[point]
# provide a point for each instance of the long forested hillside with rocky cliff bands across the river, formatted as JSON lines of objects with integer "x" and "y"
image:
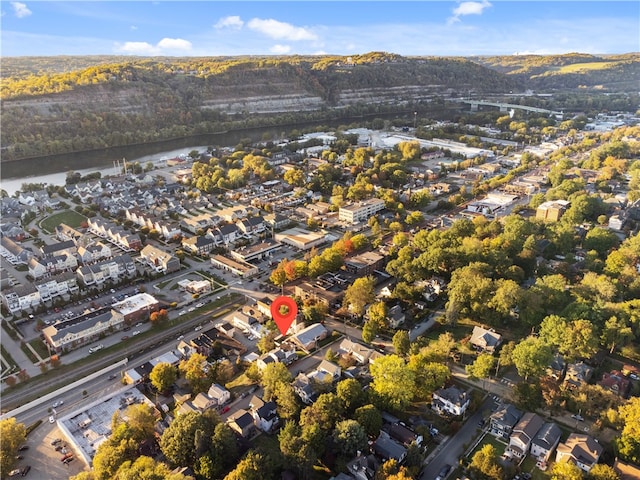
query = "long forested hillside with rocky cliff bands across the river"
{"x": 54, "y": 105}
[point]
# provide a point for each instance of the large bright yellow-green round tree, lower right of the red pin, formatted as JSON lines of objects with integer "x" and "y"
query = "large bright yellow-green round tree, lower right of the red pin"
{"x": 393, "y": 380}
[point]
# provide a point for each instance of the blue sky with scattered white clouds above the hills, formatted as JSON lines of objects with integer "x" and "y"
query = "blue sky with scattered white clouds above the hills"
{"x": 216, "y": 28}
